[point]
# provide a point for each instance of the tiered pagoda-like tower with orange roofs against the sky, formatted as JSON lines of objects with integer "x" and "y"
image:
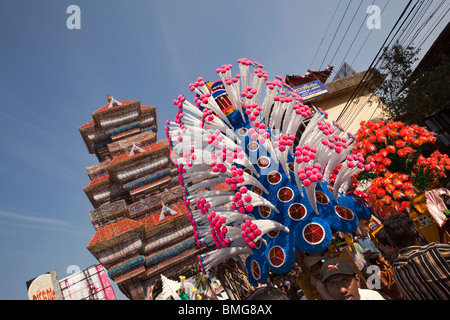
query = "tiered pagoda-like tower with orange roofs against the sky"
{"x": 140, "y": 220}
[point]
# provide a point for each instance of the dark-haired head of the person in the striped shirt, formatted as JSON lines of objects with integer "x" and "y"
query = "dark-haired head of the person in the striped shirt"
{"x": 400, "y": 231}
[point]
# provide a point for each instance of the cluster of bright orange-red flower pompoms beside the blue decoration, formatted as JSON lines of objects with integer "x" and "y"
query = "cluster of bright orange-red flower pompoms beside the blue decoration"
{"x": 396, "y": 152}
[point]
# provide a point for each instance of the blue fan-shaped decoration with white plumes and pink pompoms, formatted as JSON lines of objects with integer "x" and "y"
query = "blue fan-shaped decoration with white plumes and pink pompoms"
{"x": 249, "y": 147}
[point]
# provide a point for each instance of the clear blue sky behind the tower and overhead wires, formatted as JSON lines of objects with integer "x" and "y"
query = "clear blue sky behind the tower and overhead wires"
{"x": 52, "y": 79}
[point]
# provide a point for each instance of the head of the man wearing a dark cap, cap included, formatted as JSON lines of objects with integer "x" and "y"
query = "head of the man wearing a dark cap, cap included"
{"x": 340, "y": 279}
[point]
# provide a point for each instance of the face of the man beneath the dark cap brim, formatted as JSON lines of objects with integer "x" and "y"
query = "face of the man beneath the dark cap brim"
{"x": 343, "y": 287}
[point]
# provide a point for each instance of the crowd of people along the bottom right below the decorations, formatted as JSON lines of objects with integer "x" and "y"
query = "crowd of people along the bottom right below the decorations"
{"x": 403, "y": 266}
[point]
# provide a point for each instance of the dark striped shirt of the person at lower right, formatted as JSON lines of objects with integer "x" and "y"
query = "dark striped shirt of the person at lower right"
{"x": 423, "y": 272}
